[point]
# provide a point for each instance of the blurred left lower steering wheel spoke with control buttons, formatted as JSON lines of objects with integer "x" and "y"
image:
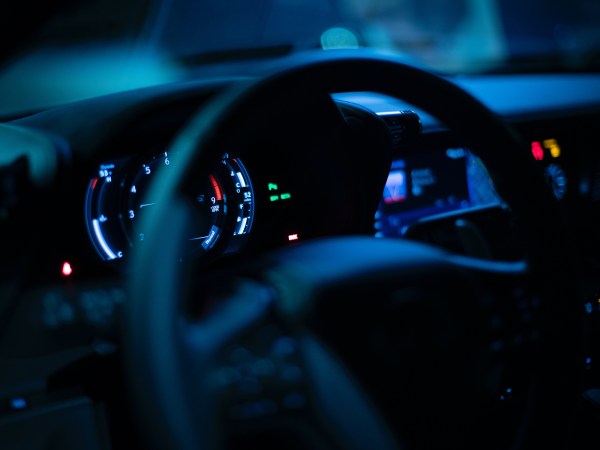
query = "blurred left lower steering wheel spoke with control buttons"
{"x": 266, "y": 379}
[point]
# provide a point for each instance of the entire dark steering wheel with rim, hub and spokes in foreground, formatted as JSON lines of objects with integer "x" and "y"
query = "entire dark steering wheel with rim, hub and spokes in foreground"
{"x": 285, "y": 357}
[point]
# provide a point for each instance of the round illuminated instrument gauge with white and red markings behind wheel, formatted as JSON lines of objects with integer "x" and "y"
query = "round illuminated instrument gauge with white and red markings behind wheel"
{"x": 223, "y": 206}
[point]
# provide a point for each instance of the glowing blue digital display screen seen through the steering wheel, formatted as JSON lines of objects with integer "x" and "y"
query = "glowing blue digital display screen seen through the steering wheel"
{"x": 428, "y": 183}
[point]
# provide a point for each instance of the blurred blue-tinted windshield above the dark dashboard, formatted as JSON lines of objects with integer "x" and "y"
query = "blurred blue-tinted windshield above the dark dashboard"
{"x": 101, "y": 46}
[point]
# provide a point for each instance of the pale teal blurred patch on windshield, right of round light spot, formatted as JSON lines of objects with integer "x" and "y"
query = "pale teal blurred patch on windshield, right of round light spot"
{"x": 446, "y": 34}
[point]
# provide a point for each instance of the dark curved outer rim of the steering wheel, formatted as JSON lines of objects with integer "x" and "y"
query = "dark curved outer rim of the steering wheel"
{"x": 152, "y": 318}
